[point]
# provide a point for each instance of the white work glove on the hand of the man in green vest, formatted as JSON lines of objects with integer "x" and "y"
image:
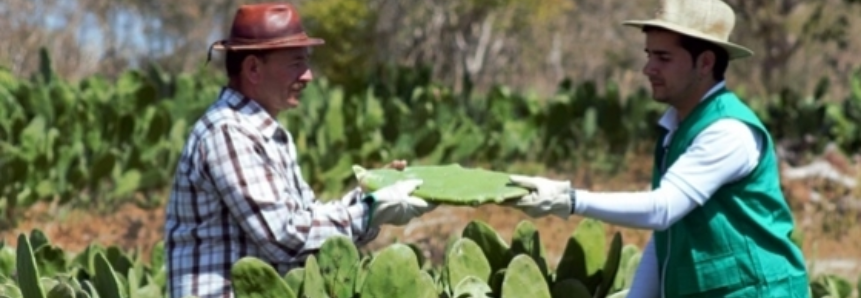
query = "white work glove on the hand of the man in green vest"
{"x": 548, "y": 197}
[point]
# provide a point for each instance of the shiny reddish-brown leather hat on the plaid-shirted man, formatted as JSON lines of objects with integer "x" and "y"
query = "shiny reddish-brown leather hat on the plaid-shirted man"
{"x": 266, "y": 26}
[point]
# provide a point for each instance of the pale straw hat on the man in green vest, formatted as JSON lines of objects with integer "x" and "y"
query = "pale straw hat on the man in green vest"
{"x": 710, "y": 20}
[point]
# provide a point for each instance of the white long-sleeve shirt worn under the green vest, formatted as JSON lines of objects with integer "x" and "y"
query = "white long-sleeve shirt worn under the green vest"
{"x": 725, "y": 151}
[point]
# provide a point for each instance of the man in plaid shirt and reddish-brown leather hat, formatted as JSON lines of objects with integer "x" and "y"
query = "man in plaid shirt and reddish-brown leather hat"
{"x": 238, "y": 190}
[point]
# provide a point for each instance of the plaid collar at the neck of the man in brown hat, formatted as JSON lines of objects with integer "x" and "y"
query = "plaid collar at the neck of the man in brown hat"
{"x": 251, "y": 110}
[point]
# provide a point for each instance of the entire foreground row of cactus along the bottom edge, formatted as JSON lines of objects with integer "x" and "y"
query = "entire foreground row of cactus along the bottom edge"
{"x": 339, "y": 270}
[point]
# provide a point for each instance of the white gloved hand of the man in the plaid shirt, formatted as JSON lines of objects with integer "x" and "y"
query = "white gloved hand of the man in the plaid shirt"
{"x": 394, "y": 205}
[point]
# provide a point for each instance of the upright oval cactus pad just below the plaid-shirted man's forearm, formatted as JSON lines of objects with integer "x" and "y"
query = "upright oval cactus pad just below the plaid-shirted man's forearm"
{"x": 336, "y": 259}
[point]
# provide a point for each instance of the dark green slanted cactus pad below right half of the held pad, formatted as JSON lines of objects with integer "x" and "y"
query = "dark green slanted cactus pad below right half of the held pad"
{"x": 492, "y": 245}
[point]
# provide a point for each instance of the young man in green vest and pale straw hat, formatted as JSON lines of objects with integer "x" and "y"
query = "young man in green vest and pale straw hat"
{"x": 721, "y": 224}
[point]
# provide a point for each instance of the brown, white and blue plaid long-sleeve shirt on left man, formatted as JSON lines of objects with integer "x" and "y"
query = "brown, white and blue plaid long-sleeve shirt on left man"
{"x": 238, "y": 191}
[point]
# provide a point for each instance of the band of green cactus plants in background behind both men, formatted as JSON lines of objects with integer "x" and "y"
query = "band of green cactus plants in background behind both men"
{"x": 98, "y": 142}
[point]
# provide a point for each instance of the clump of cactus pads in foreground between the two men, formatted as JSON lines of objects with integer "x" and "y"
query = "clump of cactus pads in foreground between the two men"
{"x": 395, "y": 271}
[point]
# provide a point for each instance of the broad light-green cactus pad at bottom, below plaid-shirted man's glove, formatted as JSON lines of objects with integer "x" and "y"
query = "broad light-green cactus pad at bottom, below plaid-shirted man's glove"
{"x": 408, "y": 282}
